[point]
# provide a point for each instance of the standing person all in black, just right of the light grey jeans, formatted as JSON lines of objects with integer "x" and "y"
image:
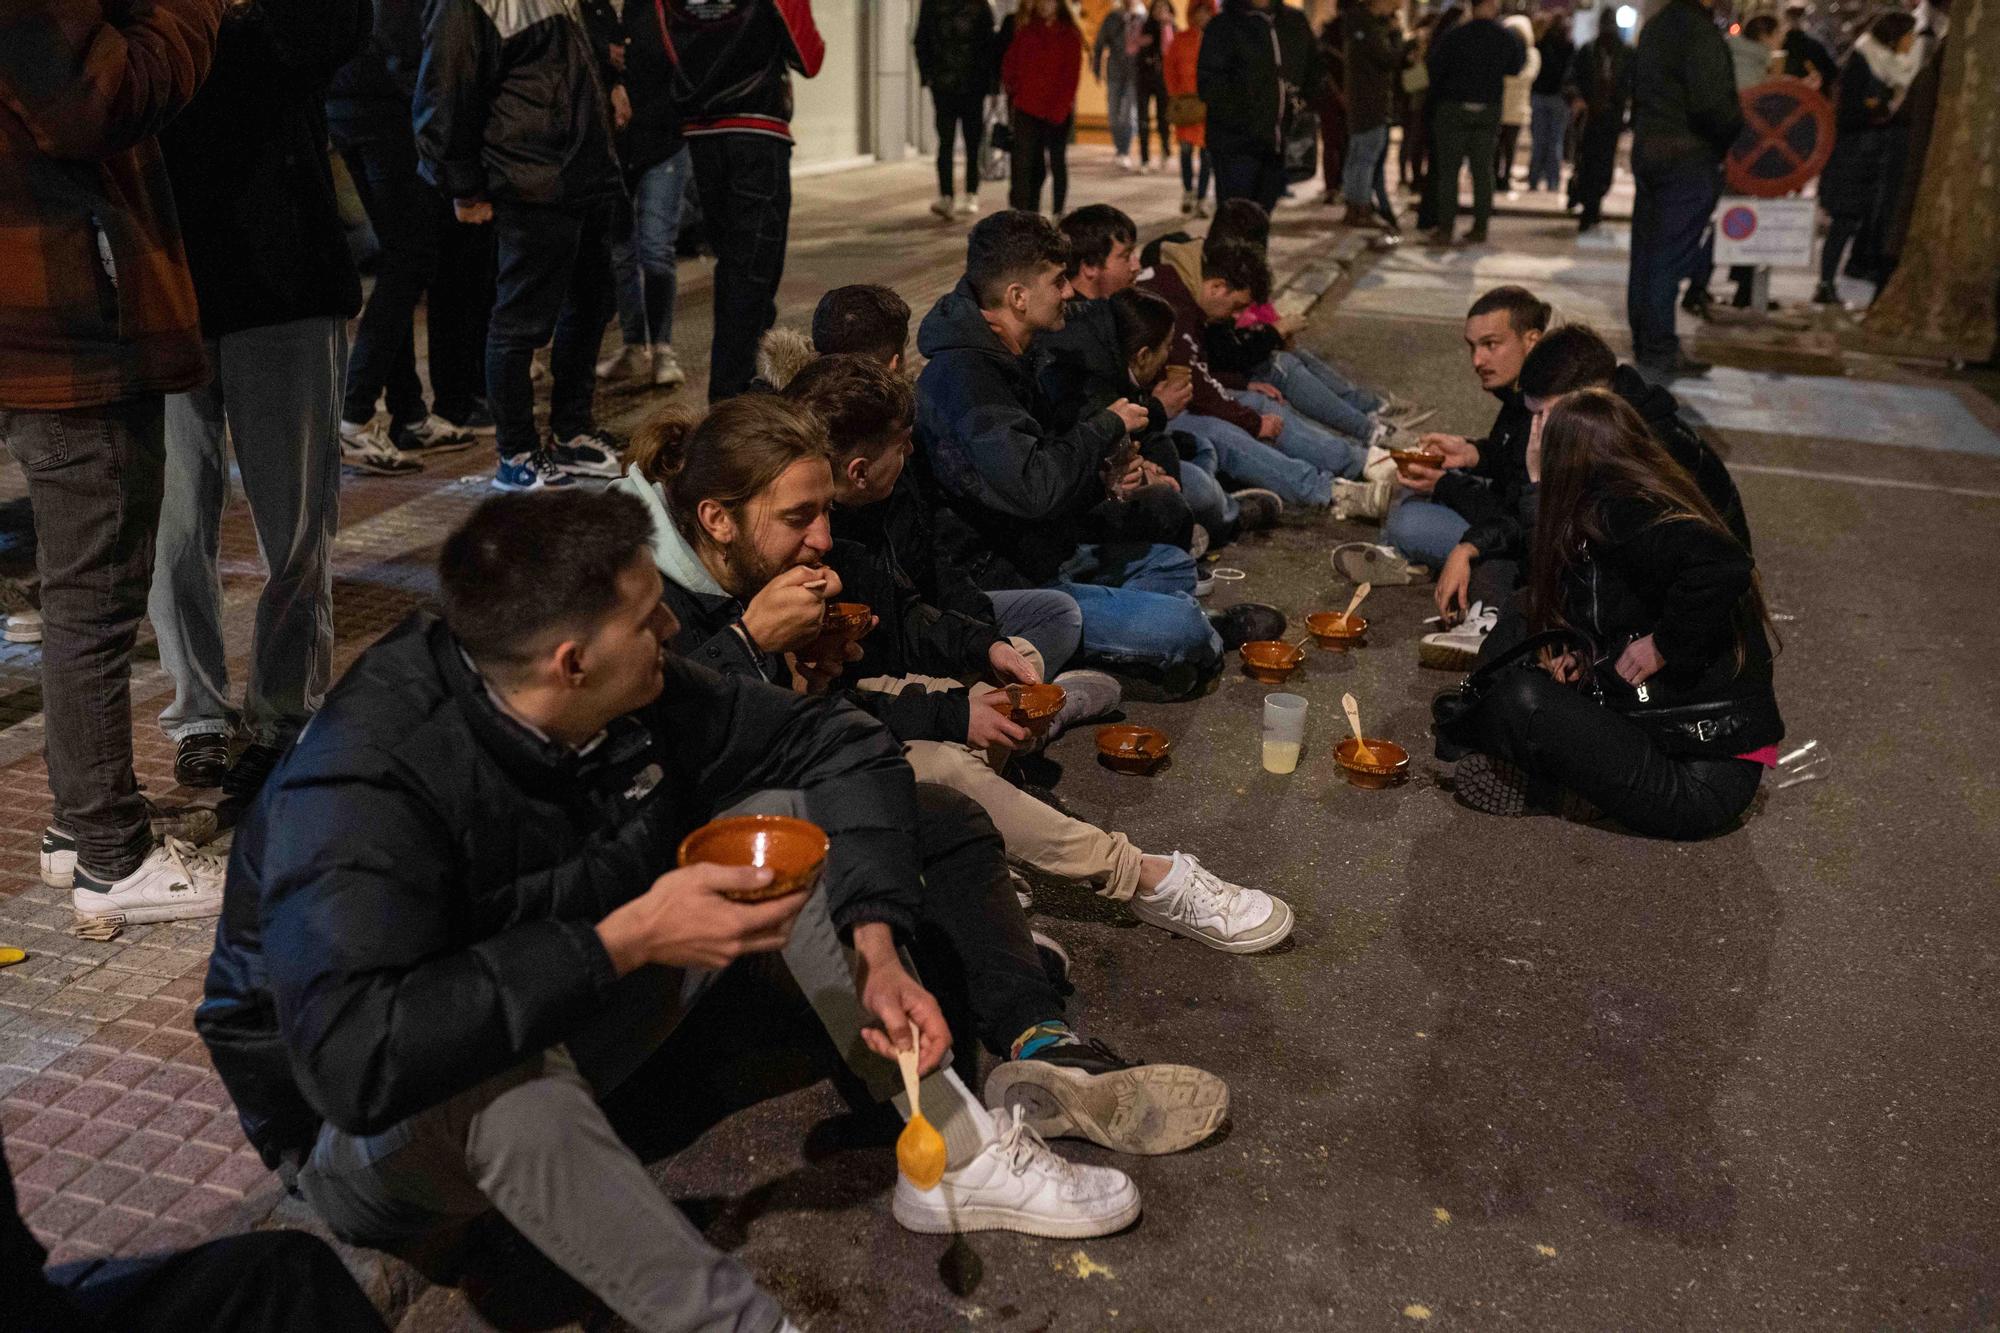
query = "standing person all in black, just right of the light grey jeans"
{"x": 423, "y": 255}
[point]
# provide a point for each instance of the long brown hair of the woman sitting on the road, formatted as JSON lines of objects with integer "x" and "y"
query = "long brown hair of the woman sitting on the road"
{"x": 1597, "y": 449}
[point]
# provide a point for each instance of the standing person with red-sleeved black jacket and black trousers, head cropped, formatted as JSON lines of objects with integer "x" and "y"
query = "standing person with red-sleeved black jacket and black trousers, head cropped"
{"x": 735, "y": 63}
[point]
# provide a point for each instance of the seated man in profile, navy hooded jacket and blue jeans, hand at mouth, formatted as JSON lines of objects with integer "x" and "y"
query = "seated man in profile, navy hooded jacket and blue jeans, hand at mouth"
{"x": 1019, "y": 489}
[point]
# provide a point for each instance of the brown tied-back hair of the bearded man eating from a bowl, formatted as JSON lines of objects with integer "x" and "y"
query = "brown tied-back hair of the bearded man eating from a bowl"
{"x": 731, "y": 455}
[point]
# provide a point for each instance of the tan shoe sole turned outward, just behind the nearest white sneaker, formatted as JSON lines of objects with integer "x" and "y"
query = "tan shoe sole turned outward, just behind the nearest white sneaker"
{"x": 1149, "y": 1112}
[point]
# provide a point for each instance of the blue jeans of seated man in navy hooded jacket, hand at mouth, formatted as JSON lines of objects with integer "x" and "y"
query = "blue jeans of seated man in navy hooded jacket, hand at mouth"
{"x": 1139, "y": 607}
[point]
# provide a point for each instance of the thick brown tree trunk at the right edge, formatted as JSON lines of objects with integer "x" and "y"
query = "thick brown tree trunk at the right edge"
{"x": 1945, "y": 293}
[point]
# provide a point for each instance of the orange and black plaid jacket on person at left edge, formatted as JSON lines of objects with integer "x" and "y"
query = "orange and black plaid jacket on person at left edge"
{"x": 95, "y": 293}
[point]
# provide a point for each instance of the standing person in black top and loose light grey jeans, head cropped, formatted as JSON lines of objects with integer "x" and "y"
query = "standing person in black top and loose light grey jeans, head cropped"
{"x": 275, "y": 285}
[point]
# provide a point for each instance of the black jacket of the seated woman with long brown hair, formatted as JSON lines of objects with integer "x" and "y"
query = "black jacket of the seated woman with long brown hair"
{"x": 1685, "y": 585}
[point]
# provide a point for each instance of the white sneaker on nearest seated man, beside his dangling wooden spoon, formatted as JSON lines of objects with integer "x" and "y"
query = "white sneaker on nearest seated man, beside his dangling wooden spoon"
{"x": 1017, "y": 1184}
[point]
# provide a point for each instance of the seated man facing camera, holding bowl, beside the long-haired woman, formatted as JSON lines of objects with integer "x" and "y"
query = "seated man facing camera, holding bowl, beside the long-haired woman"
{"x": 1471, "y": 501}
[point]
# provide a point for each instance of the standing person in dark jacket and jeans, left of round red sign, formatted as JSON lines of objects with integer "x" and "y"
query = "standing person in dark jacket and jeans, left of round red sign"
{"x": 1685, "y": 117}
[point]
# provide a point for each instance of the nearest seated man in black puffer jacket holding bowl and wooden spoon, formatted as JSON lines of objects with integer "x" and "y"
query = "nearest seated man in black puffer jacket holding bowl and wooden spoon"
{"x": 447, "y": 932}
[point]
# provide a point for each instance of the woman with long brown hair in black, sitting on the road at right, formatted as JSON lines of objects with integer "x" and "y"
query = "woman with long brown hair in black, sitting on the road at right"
{"x": 1661, "y": 712}
